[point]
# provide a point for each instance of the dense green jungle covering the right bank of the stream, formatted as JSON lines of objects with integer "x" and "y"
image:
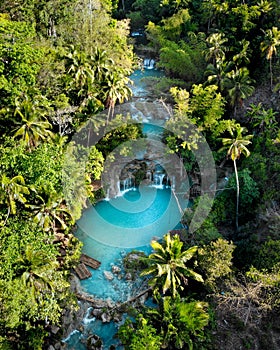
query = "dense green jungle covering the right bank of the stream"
{"x": 221, "y": 60}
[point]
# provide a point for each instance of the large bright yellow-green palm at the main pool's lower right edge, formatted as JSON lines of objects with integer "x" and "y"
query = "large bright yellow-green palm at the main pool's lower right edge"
{"x": 168, "y": 265}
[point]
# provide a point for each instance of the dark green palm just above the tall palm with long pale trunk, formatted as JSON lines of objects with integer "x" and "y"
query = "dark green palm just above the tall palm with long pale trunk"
{"x": 239, "y": 86}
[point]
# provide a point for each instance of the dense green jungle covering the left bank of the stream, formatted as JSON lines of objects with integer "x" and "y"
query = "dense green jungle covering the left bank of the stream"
{"x": 60, "y": 63}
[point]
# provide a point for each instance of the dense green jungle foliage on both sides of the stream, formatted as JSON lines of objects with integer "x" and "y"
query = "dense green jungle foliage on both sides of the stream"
{"x": 61, "y": 62}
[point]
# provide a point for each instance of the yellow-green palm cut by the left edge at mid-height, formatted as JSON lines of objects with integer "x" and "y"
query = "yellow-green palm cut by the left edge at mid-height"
{"x": 12, "y": 190}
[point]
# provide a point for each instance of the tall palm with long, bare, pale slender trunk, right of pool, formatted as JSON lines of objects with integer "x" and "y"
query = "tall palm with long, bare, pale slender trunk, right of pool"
{"x": 237, "y": 145}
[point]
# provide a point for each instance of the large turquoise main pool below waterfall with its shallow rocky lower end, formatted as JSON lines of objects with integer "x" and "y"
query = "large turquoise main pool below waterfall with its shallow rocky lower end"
{"x": 113, "y": 228}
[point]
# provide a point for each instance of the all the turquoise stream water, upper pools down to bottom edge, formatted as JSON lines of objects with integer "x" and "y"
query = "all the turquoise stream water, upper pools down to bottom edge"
{"x": 116, "y": 226}
